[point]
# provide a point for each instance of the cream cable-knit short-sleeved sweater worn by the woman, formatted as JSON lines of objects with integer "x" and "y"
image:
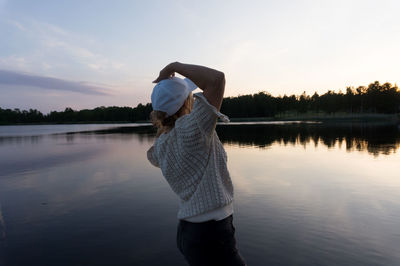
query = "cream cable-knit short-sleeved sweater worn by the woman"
{"x": 193, "y": 160}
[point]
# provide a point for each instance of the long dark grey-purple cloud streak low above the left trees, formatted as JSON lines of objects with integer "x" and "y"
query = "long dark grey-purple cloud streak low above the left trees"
{"x": 13, "y": 78}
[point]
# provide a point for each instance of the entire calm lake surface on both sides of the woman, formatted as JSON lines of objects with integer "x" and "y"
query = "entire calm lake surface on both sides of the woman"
{"x": 305, "y": 194}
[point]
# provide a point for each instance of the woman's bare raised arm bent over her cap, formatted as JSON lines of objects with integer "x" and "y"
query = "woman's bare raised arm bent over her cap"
{"x": 211, "y": 81}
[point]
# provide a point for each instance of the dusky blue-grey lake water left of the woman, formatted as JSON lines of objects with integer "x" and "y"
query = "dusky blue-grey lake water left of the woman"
{"x": 84, "y": 199}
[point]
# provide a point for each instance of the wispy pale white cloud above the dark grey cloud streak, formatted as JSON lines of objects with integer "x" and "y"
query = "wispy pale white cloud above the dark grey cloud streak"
{"x": 51, "y": 50}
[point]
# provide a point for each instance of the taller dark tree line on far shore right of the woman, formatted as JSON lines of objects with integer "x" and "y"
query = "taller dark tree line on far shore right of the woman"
{"x": 374, "y": 98}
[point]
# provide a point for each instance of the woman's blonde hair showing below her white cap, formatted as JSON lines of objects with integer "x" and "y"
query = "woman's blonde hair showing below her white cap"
{"x": 165, "y": 124}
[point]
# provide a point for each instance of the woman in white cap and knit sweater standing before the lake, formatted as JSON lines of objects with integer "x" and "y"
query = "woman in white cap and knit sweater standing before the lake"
{"x": 193, "y": 161}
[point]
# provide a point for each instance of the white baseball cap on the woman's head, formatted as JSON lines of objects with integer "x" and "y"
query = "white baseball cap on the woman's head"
{"x": 170, "y": 94}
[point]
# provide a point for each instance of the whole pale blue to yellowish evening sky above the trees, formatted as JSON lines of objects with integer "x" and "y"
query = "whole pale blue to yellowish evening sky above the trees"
{"x": 84, "y": 54}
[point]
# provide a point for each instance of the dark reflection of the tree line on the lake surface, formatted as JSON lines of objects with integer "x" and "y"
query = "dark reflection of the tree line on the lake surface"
{"x": 373, "y": 138}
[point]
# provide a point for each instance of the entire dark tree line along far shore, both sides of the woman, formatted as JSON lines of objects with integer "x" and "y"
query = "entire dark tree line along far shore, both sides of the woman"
{"x": 374, "y": 98}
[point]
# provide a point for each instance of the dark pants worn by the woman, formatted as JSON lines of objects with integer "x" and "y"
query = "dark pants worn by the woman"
{"x": 209, "y": 243}
